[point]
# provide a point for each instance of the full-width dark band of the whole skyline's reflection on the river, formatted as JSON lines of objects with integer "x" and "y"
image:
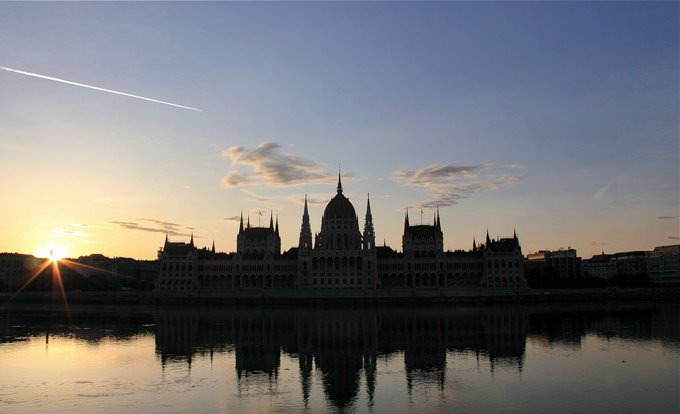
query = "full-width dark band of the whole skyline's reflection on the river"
{"x": 338, "y": 349}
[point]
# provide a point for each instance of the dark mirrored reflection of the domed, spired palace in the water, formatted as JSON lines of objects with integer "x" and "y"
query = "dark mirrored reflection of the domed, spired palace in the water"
{"x": 343, "y": 345}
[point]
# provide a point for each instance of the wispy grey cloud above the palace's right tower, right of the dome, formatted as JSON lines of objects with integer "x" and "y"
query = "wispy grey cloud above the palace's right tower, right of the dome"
{"x": 447, "y": 184}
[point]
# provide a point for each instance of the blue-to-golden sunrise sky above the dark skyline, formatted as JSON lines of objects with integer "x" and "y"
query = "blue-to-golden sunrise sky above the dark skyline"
{"x": 559, "y": 120}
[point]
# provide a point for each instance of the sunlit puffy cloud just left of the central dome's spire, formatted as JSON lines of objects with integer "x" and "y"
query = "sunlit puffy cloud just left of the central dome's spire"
{"x": 268, "y": 165}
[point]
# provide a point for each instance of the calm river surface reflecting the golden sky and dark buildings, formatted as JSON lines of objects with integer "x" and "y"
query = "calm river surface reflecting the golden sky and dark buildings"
{"x": 543, "y": 359}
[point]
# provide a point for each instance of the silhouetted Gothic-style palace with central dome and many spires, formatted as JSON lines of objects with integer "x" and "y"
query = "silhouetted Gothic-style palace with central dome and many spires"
{"x": 340, "y": 257}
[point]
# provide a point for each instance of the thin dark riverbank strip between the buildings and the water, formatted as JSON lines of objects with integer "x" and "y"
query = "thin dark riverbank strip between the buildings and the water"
{"x": 470, "y": 296}
